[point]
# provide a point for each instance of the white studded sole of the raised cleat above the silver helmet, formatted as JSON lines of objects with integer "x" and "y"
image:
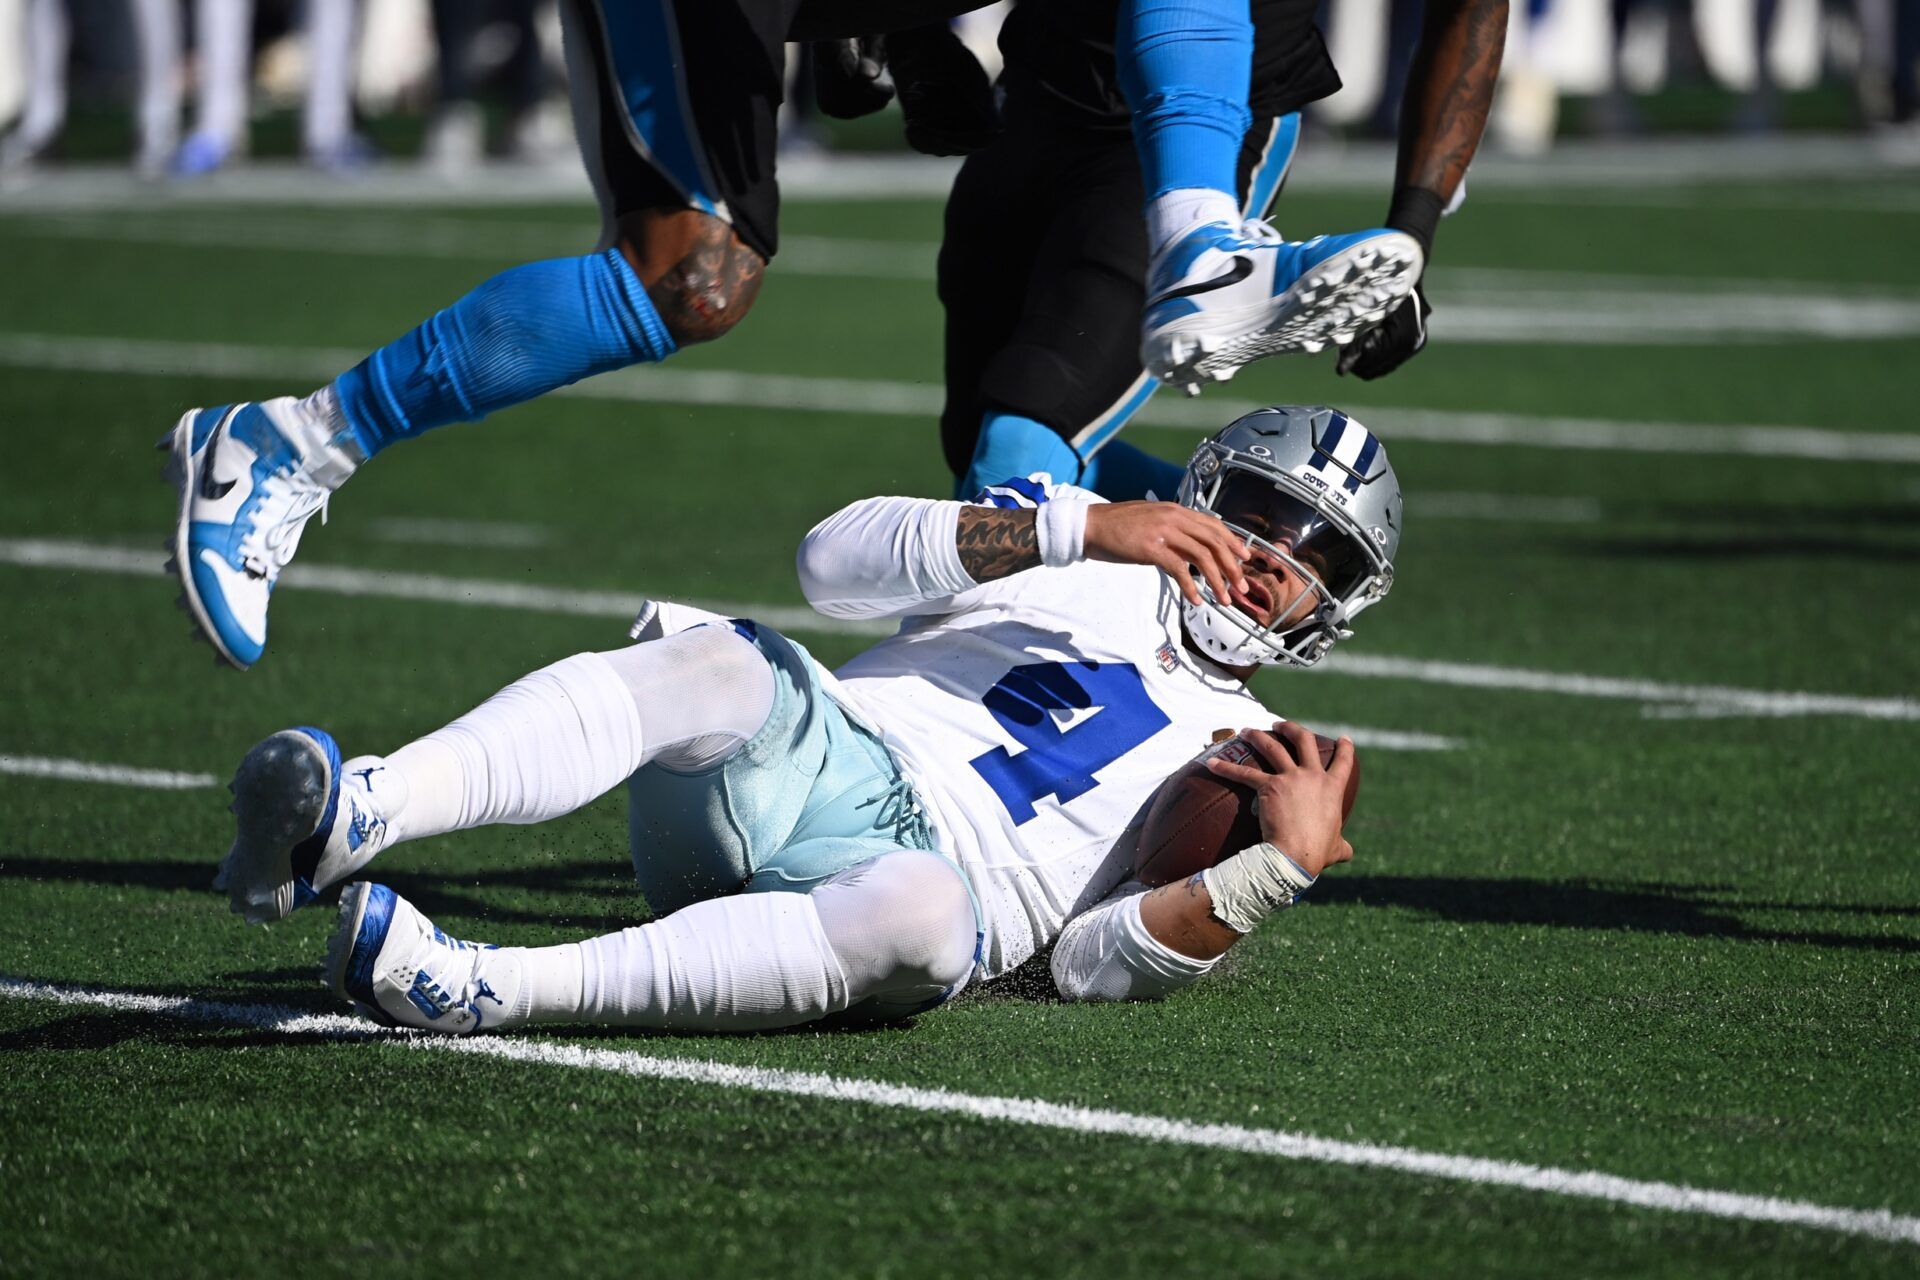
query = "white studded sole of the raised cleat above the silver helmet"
{"x": 1332, "y": 306}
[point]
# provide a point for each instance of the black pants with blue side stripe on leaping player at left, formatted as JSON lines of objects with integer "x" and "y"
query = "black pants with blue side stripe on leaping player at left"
{"x": 677, "y": 103}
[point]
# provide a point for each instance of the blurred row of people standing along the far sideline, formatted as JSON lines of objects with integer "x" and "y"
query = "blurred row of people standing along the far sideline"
{"x": 191, "y": 87}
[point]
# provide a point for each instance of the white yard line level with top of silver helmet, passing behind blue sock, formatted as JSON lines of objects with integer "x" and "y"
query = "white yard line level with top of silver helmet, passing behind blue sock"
{"x": 913, "y": 400}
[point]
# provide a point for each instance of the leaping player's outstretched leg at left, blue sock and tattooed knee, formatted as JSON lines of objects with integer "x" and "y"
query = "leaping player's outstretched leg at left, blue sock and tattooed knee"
{"x": 673, "y": 272}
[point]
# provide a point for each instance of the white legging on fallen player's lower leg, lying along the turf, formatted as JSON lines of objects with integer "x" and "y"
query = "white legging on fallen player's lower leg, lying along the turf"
{"x": 892, "y": 934}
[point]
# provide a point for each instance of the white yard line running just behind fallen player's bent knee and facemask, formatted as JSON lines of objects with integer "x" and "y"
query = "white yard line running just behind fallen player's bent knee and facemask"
{"x": 337, "y": 581}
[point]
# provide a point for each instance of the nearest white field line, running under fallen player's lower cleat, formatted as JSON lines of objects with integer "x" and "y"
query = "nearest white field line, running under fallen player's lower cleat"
{"x": 1272, "y": 1143}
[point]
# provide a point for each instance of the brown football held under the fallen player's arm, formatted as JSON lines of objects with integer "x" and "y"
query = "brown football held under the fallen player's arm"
{"x": 1199, "y": 818}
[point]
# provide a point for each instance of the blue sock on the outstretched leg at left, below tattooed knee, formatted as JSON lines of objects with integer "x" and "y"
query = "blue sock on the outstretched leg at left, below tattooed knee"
{"x": 517, "y": 337}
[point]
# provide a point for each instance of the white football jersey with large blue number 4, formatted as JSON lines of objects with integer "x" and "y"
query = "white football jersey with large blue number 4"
{"x": 1036, "y": 717}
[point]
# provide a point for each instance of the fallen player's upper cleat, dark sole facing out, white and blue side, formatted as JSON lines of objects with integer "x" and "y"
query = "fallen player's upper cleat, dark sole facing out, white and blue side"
{"x": 304, "y": 822}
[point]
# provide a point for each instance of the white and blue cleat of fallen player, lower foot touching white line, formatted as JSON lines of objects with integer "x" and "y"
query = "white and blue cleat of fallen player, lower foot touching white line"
{"x": 396, "y": 968}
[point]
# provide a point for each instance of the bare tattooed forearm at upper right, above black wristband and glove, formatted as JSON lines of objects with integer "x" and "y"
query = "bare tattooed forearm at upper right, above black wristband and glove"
{"x": 1451, "y": 89}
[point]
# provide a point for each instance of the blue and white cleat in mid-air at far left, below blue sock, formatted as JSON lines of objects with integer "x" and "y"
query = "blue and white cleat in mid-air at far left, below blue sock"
{"x": 247, "y": 494}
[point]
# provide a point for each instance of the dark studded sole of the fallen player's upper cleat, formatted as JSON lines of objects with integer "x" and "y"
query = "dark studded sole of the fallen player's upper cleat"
{"x": 279, "y": 795}
